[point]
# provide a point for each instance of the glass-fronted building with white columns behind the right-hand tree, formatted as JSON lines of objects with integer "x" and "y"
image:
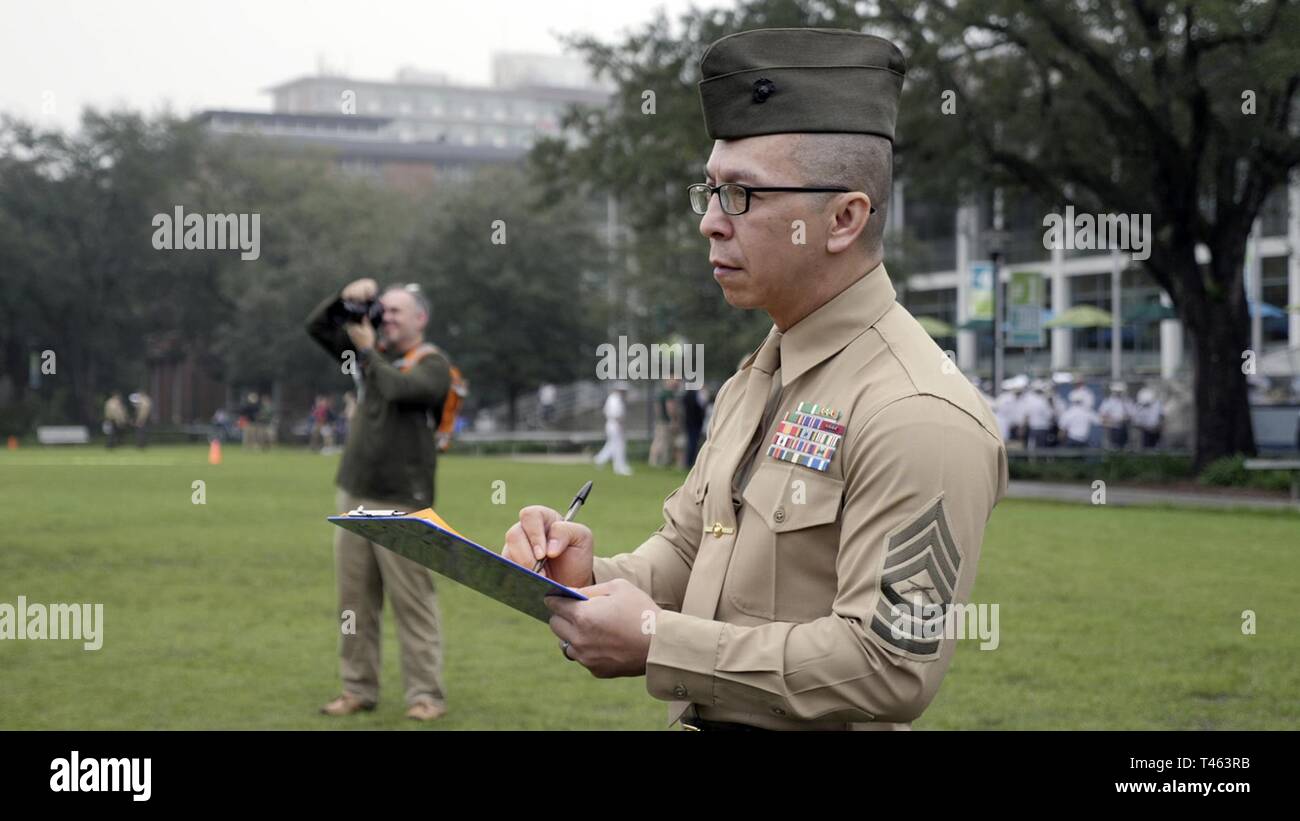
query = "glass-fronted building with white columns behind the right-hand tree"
{"x": 946, "y": 241}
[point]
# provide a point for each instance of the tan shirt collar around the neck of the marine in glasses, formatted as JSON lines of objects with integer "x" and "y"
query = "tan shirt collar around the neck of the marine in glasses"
{"x": 831, "y": 328}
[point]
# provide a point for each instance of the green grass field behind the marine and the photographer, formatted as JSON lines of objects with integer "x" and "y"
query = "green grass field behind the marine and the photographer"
{"x": 222, "y": 616}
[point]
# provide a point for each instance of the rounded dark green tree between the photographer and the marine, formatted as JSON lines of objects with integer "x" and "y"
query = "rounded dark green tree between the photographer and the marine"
{"x": 512, "y": 273}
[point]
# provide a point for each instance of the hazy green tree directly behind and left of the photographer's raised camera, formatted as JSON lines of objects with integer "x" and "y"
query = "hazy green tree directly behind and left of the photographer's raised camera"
{"x": 320, "y": 231}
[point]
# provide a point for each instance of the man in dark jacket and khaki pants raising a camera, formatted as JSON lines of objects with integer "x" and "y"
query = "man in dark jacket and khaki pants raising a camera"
{"x": 388, "y": 463}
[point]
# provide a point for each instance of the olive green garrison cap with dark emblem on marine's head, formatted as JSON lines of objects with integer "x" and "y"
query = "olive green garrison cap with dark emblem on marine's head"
{"x": 775, "y": 81}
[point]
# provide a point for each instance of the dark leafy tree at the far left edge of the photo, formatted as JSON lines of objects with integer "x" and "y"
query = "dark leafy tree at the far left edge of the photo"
{"x": 81, "y": 276}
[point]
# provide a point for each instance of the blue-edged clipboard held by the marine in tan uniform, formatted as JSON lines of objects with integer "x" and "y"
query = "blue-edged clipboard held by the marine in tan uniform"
{"x": 427, "y": 540}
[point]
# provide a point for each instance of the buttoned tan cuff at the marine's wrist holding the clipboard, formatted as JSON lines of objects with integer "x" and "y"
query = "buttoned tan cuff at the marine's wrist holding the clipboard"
{"x": 683, "y": 658}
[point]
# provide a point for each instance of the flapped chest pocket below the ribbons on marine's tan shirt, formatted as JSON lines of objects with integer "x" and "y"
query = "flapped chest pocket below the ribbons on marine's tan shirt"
{"x": 783, "y": 566}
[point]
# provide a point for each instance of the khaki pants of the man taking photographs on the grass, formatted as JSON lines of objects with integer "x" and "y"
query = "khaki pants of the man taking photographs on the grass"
{"x": 365, "y": 571}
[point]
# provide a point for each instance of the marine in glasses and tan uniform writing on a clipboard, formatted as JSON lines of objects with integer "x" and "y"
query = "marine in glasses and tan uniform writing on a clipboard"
{"x": 804, "y": 571}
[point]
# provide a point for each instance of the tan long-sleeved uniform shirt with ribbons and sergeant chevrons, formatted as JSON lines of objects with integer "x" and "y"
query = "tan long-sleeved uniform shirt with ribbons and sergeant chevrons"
{"x": 779, "y": 583}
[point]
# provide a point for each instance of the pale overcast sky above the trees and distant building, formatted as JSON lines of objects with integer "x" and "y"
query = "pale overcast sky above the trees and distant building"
{"x": 63, "y": 55}
